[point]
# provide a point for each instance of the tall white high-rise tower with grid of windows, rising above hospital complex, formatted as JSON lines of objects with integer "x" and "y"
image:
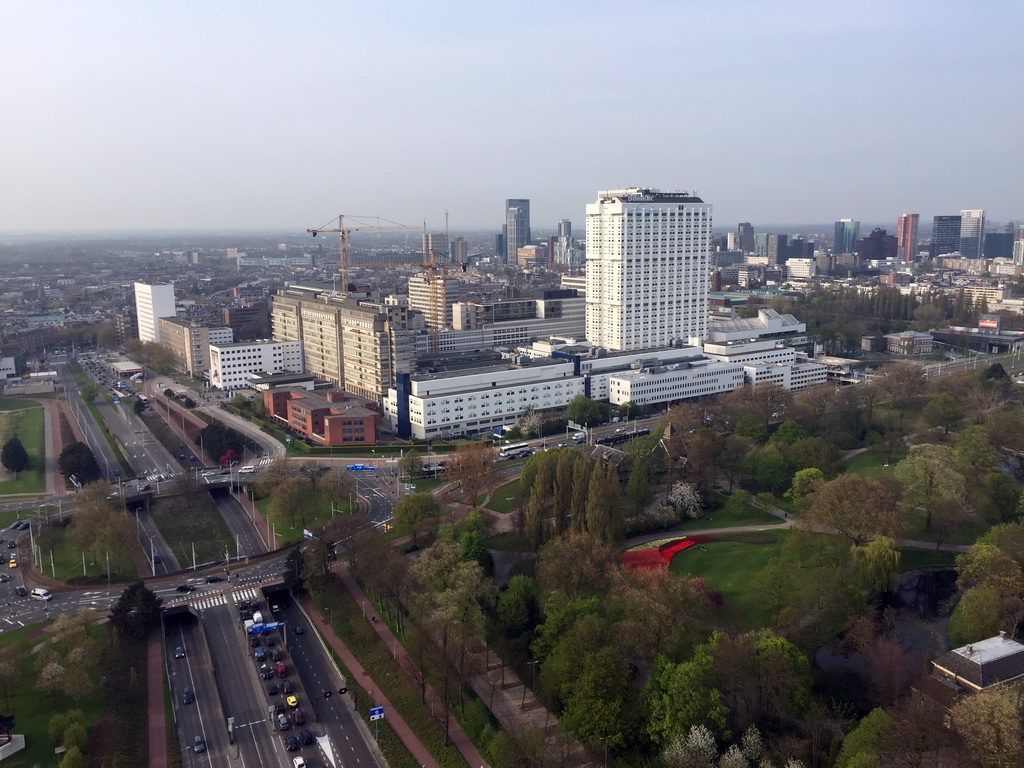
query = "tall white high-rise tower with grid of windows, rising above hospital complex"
{"x": 649, "y": 258}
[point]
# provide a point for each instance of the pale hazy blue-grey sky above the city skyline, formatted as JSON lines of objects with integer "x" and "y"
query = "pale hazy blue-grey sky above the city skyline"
{"x": 258, "y": 115}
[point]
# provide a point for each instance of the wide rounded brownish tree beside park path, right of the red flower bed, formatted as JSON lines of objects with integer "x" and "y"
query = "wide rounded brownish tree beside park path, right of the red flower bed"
{"x": 856, "y": 508}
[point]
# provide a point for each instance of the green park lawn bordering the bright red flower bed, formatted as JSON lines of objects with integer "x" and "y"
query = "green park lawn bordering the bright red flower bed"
{"x": 732, "y": 568}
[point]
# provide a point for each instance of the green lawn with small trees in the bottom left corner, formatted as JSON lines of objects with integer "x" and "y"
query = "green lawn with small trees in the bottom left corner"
{"x": 33, "y": 709}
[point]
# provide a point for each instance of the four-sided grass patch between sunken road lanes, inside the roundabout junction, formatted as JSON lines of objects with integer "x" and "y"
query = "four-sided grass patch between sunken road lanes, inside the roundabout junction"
{"x": 202, "y": 527}
